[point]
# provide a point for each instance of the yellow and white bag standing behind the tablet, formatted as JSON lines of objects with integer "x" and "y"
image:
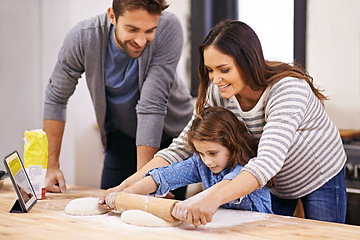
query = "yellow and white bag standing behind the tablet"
{"x": 36, "y": 159}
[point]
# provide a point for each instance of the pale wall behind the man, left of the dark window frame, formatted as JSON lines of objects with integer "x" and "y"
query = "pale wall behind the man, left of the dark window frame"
{"x": 29, "y": 52}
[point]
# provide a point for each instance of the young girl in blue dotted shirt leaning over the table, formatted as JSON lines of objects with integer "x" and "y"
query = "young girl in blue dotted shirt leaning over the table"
{"x": 221, "y": 146}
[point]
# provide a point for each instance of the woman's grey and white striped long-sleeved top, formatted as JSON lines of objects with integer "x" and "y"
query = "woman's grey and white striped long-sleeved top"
{"x": 298, "y": 143}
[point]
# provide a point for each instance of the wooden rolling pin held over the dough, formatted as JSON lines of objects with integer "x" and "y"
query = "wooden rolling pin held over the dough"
{"x": 160, "y": 207}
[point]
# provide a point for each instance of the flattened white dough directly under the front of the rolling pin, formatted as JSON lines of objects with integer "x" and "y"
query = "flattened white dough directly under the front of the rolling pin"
{"x": 145, "y": 219}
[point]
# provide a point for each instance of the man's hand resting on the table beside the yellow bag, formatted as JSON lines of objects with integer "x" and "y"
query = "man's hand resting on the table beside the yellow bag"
{"x": 55, "y": 181}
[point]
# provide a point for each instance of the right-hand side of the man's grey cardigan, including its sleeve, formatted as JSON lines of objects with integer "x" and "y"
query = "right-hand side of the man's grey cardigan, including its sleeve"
{"x": 165, "y": 101}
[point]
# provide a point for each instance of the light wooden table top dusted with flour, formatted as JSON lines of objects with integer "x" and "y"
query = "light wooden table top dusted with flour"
{"x": 46, "y": 220}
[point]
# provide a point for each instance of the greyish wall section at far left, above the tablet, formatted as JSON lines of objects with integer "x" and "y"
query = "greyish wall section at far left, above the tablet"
{"x": 20, "y": 85}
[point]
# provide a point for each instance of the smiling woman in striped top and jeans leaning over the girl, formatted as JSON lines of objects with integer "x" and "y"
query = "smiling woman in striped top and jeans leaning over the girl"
{"x": 298, "y": 143}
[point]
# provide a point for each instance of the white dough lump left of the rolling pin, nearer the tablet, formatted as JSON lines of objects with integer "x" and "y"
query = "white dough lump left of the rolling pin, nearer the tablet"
{"x": 84, "y": 207}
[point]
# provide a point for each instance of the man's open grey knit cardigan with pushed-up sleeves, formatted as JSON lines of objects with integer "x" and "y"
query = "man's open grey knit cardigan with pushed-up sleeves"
{"x": 165, "y": 101}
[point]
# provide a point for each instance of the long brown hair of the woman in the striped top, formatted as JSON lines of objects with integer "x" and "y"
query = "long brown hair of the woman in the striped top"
{"x": 236, "y": 39}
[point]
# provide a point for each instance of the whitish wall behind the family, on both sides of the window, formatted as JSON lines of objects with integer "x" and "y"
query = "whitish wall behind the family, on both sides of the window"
{"x": 32, "y": 32}
